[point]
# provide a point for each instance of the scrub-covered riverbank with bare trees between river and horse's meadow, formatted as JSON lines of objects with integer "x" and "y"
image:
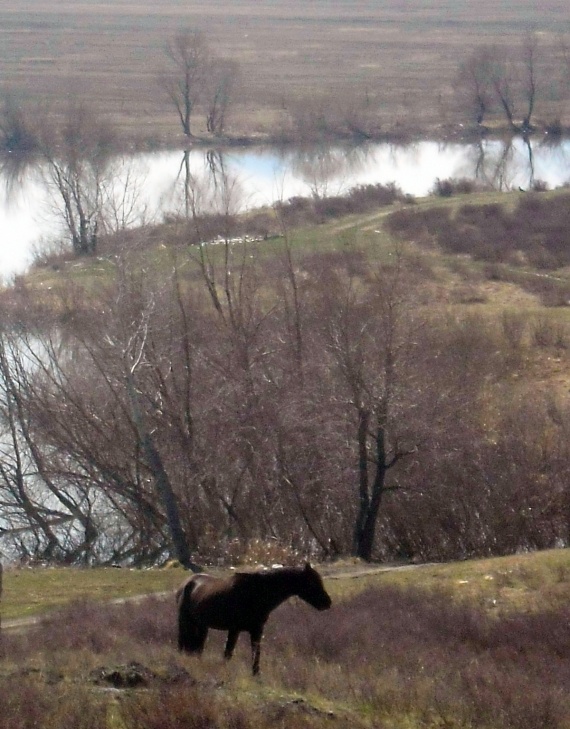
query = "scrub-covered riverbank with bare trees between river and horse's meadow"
{"x": 361, "y": 386}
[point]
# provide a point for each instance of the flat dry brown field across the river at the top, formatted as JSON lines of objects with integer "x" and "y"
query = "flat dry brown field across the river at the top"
{"x": 402, "y": 54}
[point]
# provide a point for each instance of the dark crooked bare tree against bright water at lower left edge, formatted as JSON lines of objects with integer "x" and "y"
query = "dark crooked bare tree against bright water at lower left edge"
{"x": 52, "y": 514}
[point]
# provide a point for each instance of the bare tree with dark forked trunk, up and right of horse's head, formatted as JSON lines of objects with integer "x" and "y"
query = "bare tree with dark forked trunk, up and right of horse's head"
{"x": 367, "y": 337}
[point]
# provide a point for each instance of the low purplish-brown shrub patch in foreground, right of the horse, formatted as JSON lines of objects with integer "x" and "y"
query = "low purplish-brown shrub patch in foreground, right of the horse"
{"x": 459, "y": 663}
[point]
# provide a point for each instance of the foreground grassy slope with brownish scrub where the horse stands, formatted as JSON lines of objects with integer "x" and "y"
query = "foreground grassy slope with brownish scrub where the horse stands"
{"x": 478, "y": 644}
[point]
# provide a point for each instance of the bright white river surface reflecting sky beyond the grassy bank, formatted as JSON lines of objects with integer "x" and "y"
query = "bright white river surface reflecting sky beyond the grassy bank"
{"x": 148, "y": 186}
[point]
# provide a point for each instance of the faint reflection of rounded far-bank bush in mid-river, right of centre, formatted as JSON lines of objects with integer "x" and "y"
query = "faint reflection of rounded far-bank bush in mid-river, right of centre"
{"x": 320, "y": 166}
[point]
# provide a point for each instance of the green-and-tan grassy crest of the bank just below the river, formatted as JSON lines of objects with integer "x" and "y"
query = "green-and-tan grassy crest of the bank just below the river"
{"x": 486, "y": 275}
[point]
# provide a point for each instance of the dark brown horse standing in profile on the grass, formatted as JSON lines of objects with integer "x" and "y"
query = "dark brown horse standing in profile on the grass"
{"x": 241, "y": 602}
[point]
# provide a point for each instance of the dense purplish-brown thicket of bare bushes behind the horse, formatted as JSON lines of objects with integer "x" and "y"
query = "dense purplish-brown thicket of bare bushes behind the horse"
{"x": 253, "y": 376}
